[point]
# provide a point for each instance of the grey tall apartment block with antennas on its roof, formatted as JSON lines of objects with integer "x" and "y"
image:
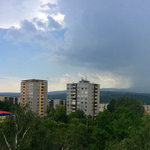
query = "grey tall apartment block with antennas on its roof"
{"x": 84, "y": 96}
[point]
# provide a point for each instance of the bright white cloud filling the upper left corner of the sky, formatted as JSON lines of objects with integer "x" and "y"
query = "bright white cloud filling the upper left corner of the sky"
{"x": 12, "y": 12}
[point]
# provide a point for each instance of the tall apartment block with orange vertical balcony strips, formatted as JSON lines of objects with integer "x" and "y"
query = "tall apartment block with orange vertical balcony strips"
{"x": 34, "y": 93}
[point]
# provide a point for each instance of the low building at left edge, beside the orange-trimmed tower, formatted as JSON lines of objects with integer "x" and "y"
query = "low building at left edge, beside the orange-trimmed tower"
{"x": 11, "y": 99}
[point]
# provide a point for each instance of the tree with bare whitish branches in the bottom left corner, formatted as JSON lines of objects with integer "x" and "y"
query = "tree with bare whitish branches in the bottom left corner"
{"x": 24, "y": 130}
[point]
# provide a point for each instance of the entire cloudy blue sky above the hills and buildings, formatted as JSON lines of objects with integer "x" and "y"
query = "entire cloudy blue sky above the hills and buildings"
{"x": 107, "y": 42}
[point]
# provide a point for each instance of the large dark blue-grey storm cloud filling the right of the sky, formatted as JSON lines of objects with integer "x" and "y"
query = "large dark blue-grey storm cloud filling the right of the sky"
{"x": 109, "y": 36}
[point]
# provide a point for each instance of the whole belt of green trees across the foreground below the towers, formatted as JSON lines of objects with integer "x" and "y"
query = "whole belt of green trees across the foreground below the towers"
{"x": 120, "y": 127}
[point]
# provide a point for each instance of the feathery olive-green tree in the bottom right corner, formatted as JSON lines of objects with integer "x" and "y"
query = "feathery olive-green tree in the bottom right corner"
{"x": 138, "y": 139}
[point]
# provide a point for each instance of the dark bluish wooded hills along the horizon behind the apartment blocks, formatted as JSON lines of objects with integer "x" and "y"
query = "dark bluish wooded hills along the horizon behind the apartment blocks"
{"x": 106, "y": 95}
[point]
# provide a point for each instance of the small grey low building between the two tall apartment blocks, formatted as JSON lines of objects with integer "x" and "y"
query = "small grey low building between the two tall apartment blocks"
{"x": 54, "y": 102}
